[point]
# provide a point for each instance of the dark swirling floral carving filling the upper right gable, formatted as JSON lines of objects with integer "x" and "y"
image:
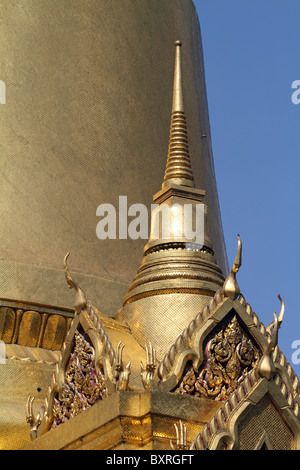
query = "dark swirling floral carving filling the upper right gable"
{"x": 230, "y": 355}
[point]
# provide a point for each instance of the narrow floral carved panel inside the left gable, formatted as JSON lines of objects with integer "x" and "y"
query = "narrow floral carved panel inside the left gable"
{"x": 84, "y": 385}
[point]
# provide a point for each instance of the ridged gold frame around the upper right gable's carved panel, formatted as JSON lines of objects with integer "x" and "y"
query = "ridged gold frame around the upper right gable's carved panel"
{"x": 189, "y": 345}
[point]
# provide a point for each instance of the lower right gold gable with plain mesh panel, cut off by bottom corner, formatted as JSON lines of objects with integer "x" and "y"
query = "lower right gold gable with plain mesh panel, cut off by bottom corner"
{"x": 260, "y": 414}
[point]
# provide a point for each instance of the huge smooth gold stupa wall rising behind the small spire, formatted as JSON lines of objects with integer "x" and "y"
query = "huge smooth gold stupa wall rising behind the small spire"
{"x": 86, "y": 119}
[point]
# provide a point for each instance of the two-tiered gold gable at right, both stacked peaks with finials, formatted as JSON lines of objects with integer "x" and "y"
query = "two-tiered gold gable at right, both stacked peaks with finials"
{"x": 226, "y": 354}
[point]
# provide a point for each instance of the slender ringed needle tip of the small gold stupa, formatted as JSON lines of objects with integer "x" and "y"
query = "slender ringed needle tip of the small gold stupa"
{"x": 178, "y": 170}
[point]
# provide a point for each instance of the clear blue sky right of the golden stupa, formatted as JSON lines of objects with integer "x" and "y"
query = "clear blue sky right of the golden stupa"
{"x": 251, "y": 53}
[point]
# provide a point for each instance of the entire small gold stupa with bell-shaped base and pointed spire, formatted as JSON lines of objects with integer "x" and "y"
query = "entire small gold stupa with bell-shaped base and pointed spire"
{"x": 179, "y": 272}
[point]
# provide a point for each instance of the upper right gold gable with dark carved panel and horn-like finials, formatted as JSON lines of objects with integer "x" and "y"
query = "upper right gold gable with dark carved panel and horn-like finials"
{"x": 223, "y": 343}
